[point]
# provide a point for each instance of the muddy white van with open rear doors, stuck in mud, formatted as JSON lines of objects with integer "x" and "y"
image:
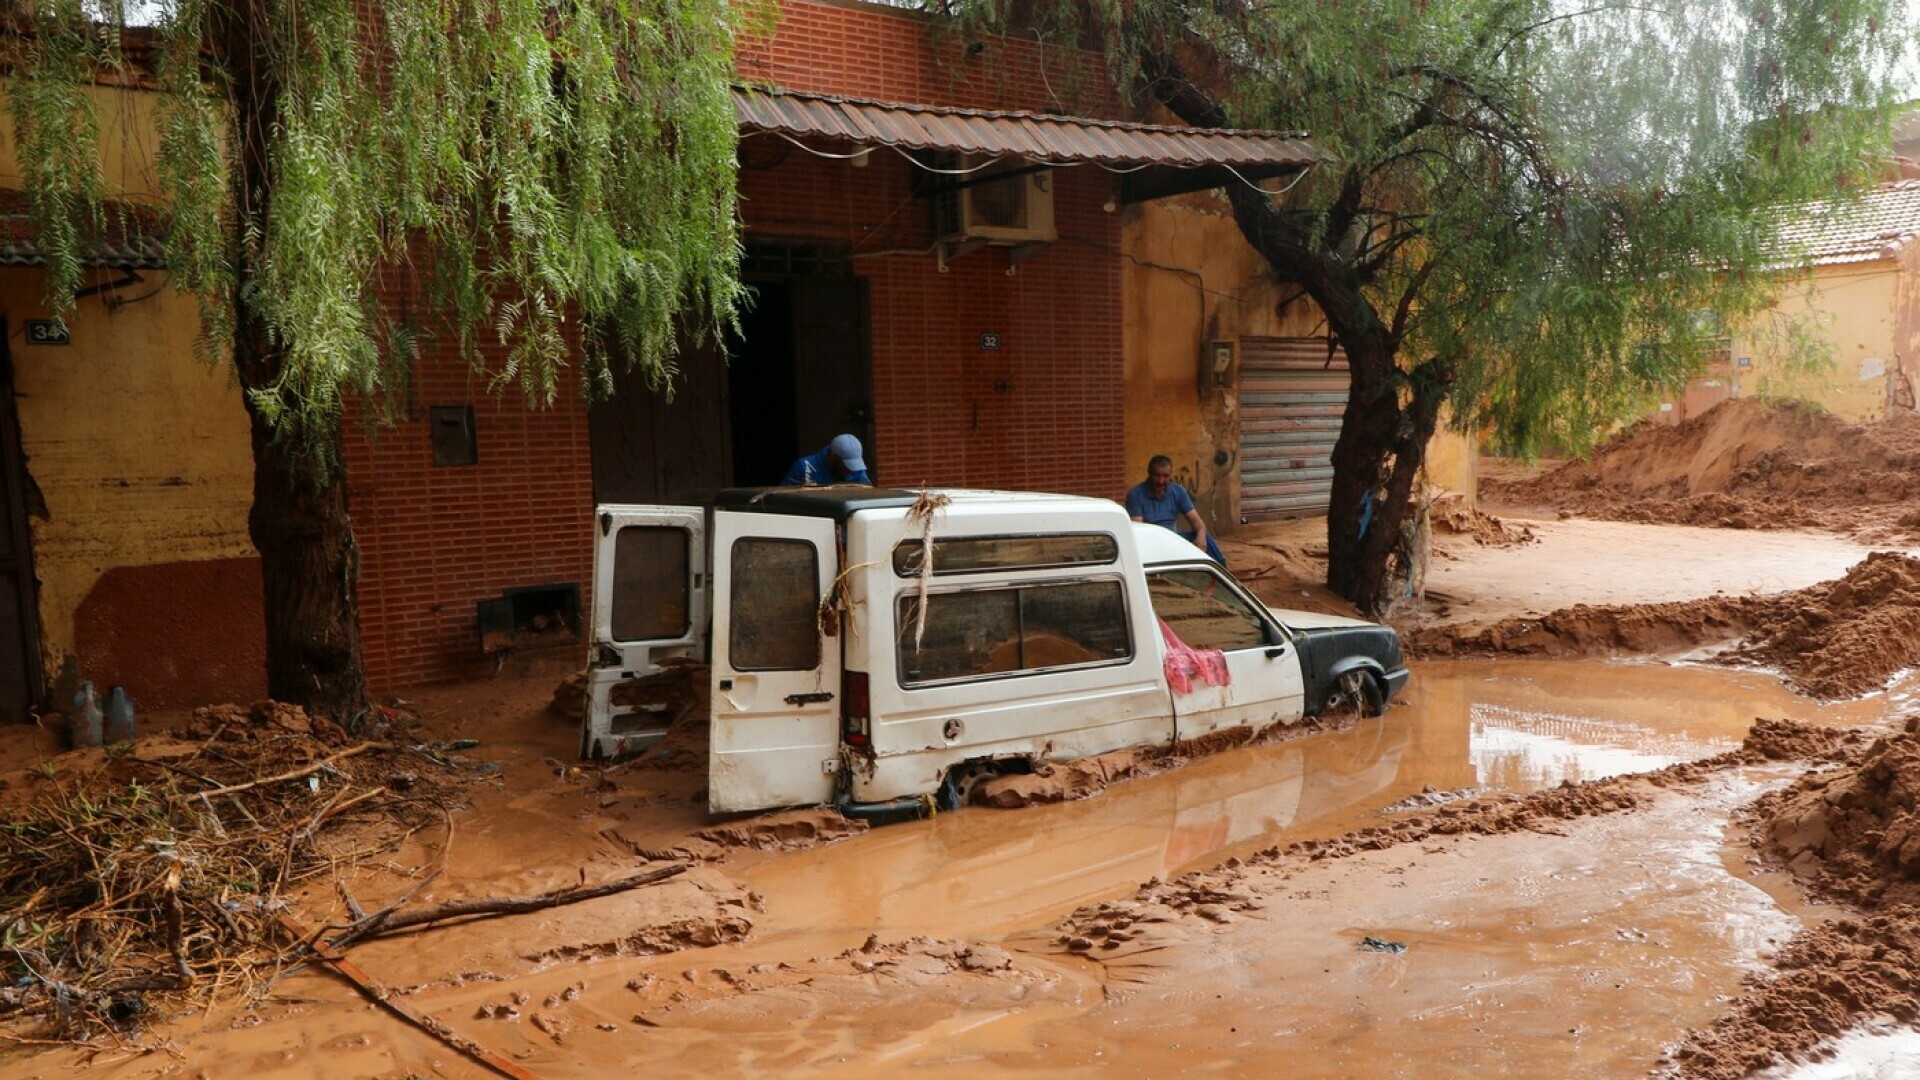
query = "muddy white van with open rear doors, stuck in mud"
{"x": 875, "y": 649}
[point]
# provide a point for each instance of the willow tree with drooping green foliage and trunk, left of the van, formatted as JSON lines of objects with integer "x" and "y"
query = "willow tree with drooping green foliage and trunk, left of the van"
{"x": 542, "y": 164}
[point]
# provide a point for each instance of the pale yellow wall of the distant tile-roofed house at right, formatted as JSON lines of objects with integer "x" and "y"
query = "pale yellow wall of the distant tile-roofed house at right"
{"x": 1858, "y": 312}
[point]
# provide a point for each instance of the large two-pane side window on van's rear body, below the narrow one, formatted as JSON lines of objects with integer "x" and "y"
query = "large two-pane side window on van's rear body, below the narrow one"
{"x": 1019, "y": 629}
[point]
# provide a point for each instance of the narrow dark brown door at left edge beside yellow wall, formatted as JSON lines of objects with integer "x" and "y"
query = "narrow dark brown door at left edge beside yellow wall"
{"x": 20, "y": 633}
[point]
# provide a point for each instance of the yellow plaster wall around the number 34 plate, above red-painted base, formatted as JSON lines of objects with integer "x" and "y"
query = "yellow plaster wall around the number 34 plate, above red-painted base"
{"x": 141, "y": 453}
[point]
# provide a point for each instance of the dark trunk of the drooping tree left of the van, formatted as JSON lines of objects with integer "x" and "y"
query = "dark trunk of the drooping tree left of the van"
{"x": 300, "y": 528}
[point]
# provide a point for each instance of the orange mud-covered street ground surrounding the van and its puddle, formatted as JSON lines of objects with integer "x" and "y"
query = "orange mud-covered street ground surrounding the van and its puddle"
{"x": 1754, "y": 539}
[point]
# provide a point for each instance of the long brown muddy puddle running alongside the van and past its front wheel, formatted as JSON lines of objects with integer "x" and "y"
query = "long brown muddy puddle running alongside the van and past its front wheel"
{"x": 1481, "y": 725}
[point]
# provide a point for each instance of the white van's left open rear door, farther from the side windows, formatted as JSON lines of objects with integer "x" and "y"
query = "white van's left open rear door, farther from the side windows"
{"x": 650, "y": 604}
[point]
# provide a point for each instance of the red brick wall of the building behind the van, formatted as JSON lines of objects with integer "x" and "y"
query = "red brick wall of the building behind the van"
{"x": 1044, "y": 412}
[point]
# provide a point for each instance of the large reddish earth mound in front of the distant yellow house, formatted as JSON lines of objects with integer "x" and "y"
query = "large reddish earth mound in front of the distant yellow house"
{"x": 1744, "y": 464}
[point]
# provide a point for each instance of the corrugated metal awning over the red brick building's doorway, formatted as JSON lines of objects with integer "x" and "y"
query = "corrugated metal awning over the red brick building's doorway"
{"x": 1211, "y": 155}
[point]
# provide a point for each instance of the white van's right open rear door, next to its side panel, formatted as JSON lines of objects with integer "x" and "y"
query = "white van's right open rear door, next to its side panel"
{"x": 777, "y": 664}
